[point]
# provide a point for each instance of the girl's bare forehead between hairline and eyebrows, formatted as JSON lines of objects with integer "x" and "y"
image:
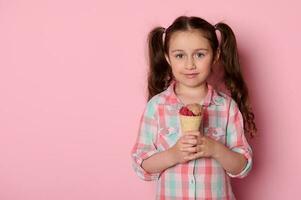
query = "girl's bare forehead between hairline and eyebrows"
{"x": 191, "y": 39}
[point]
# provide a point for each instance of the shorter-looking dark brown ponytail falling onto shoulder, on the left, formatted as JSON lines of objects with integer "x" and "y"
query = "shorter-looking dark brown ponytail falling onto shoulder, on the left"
{"x": 159, "y": 74}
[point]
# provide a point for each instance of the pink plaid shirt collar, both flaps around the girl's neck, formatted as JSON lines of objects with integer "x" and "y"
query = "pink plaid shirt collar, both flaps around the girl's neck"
{"x": 211, "y": 98}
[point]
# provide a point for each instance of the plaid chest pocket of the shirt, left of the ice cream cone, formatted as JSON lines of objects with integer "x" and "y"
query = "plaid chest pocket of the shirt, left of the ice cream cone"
{"x": 168, "y": 136}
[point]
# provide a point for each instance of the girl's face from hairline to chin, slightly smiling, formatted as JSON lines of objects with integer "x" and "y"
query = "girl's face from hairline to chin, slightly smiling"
{"x": 190, "y": 57}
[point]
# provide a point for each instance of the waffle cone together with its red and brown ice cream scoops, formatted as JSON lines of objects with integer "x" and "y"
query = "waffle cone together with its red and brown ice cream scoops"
{"x": 191, "y": 117}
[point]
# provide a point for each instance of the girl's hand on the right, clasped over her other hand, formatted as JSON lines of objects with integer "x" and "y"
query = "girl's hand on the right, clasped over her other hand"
{"x": 206, "y": 147}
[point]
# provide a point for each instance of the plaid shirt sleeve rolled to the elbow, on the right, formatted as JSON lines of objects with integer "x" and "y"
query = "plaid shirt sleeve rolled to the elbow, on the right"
{"x": 236, "y": 140}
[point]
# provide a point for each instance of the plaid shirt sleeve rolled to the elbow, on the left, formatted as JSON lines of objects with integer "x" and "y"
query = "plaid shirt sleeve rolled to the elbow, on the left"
{"x": 145, "y": 143}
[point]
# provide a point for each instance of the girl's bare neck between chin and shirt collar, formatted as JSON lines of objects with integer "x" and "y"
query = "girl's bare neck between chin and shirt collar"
{"x": 189, "y": 95}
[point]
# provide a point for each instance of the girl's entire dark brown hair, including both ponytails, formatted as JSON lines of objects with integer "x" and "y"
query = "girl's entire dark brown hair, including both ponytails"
{"x": 160, "y": 74}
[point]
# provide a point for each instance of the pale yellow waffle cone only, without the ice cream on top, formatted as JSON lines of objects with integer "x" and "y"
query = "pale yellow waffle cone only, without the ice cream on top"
{"x": 190, "y": 123}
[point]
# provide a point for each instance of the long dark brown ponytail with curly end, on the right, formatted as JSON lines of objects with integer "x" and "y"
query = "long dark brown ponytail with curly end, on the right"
{"x": 233, "y": 77}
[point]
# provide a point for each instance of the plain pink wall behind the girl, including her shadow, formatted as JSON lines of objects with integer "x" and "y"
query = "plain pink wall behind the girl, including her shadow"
{"x": 72, "y": 86}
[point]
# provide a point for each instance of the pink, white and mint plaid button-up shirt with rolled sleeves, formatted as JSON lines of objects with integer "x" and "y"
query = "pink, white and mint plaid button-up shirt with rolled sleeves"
{"x": 202, "y": 178}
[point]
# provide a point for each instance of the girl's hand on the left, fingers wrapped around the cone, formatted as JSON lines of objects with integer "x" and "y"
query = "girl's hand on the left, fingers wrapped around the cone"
{"x": 180, "y": 149}
